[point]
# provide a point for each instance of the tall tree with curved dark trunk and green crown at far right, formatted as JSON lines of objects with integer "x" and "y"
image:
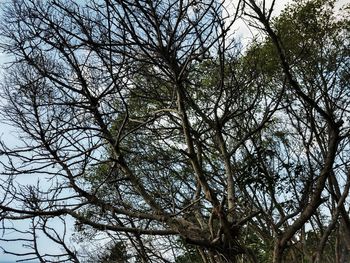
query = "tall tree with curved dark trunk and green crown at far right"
{"x": 310, "y": 44}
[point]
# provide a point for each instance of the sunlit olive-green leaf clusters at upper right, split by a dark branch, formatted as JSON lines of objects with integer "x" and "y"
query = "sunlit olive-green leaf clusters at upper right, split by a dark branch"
{"x": 311, "y": 35}
